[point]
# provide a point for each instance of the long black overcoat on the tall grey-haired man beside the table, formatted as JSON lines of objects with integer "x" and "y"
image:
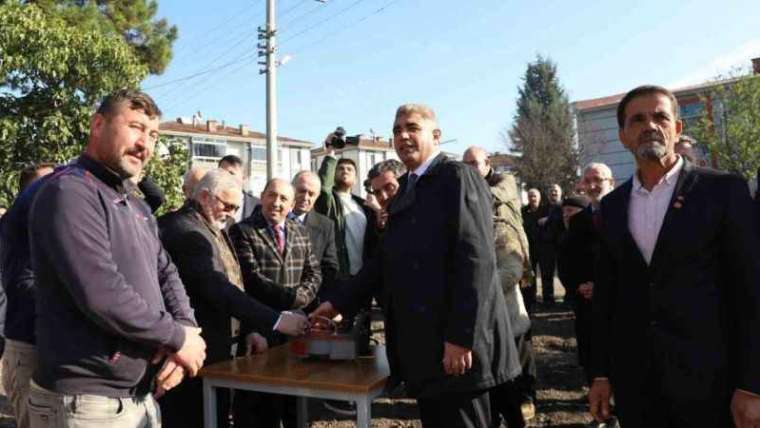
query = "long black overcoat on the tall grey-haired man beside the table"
{"x": 436, "y": 271}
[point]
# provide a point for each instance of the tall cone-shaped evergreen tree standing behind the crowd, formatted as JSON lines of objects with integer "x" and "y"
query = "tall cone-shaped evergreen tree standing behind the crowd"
{"x": 542, "y": 130}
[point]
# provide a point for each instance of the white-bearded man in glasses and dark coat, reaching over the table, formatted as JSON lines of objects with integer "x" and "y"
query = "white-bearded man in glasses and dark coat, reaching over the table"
{"x": 204, "y": 256}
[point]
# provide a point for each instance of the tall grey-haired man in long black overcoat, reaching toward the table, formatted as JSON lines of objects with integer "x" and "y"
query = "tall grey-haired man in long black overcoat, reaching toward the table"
{"x": 448, "y": 334}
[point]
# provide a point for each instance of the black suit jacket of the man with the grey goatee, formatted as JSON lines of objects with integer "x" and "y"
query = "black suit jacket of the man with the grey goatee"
{"x": 686, "y": 326}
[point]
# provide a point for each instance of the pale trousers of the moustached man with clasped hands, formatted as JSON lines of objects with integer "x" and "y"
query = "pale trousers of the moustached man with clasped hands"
{"x": 48, "y": 409}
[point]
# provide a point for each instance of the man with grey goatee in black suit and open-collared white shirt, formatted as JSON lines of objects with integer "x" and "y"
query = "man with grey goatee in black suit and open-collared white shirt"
{"x": 677, "y": 297}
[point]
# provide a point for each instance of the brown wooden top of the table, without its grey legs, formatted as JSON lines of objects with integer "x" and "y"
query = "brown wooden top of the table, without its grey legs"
{"x": 277, "y": 367}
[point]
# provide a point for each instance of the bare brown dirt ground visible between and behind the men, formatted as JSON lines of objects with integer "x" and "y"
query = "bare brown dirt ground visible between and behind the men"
{"x": 561, "y": 394}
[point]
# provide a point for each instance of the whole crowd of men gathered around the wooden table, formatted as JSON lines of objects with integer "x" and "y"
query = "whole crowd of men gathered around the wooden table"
{"x": 111, "y": 313}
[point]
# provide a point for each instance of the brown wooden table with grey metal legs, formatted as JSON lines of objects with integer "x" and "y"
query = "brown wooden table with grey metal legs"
{"x": 277, "y": 372}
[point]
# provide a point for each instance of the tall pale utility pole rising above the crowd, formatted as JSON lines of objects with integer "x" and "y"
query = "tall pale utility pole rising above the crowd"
{"x": 271, "y": 70}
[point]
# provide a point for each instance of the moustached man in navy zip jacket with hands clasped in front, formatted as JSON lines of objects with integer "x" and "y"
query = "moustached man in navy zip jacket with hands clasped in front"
{"x": 109, "y": 300}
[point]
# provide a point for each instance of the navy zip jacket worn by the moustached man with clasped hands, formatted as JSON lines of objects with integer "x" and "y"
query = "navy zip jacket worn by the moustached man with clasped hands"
{"x": 108, "y": 296}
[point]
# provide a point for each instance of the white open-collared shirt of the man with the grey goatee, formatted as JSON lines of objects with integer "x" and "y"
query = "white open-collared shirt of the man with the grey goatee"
{"x": 647, "y": 209}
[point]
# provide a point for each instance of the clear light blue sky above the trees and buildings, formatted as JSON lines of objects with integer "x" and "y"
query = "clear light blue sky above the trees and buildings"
{"x": 354, "y": 61}
